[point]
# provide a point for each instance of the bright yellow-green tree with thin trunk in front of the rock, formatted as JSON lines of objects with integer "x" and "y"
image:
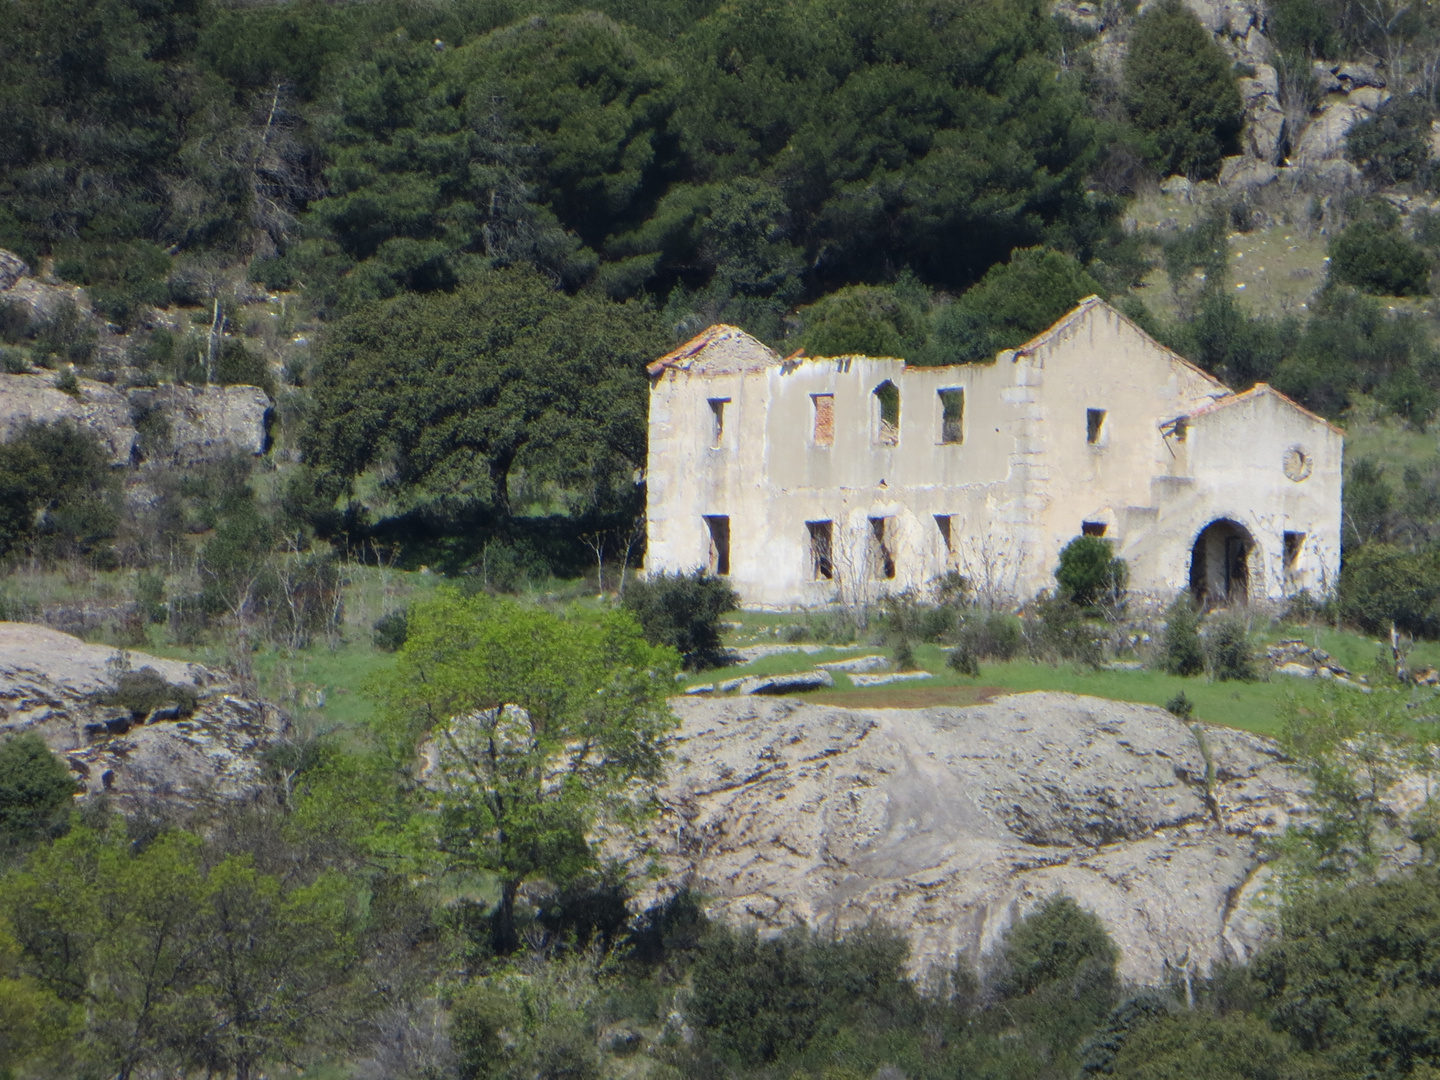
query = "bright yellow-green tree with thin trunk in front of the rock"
{"x": 545, "y": 728}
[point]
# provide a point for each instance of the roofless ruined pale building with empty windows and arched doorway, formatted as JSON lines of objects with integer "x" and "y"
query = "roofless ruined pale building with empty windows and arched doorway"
{"x": 820, "y": 480}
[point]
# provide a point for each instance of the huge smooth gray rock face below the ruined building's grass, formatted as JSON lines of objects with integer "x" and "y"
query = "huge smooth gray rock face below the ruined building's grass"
{"x": 951, "y": 823}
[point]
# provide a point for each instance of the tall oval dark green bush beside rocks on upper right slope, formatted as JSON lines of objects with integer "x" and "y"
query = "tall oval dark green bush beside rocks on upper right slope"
{"x": 1182, "y": 93}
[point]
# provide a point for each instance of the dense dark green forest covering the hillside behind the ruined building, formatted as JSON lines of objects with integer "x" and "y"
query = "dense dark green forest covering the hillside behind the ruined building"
{"x": 564, "y": 189}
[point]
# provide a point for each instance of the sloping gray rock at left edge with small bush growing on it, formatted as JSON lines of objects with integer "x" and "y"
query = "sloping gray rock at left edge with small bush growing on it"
{"x": 47, "y": 682}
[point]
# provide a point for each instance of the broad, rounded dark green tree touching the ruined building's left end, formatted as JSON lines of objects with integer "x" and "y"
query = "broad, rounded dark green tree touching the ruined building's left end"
{"x": 453, "y": 392}
